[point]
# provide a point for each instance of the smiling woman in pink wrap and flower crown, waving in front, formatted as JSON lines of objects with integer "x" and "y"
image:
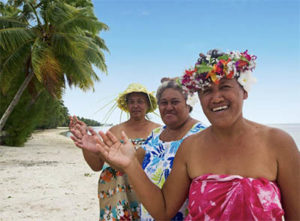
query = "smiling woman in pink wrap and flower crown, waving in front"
{"x": 235, "y": 169}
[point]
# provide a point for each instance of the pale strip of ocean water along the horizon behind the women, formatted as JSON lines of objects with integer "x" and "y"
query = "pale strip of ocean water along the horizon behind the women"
{"x": 291, "y": 129}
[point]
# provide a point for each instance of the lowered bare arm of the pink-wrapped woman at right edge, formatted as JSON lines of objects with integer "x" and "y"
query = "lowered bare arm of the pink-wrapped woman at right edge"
{"x": 288, "y": 176}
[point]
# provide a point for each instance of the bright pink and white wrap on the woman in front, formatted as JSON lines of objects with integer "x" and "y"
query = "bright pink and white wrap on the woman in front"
{"x": 231, "y": 197}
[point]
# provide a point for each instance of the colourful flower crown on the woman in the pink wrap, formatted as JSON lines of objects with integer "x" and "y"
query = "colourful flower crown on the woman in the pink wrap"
{"x": 214, "y": 66}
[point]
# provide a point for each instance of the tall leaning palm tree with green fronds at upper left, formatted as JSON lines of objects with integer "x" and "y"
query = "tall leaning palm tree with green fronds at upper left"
{"x": 51, "y": 42}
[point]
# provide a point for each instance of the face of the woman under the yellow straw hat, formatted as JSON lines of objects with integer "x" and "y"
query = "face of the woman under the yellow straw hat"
{"x": 138, "y": 104}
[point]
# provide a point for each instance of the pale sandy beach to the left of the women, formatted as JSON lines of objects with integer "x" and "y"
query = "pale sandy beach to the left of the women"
{"x": 47, "y": 179}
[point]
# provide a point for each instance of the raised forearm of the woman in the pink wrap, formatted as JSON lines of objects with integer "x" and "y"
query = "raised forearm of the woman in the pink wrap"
{"x": 150, "y": 195}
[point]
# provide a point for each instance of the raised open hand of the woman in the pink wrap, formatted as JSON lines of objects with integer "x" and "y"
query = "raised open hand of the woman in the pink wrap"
{"x": 120, "y": 154}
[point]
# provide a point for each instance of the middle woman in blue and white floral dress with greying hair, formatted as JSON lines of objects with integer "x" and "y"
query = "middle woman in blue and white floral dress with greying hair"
{"x": 163, "y": 143}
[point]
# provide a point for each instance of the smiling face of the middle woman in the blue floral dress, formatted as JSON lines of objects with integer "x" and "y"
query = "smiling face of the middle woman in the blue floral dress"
{"x": 173, "y": 108}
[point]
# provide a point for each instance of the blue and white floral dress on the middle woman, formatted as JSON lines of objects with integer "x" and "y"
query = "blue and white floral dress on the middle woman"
{"x": 158, "y": 163}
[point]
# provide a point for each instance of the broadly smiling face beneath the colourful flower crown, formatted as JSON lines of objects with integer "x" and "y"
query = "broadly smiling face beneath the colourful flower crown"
{"x": 223, "y": 103}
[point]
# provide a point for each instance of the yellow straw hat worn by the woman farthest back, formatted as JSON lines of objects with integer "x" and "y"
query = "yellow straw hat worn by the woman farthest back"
{"x": 136, "y": 88}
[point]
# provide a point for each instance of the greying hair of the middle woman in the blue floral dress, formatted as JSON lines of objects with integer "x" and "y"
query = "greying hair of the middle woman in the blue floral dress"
{"x": 170, "y": 83}
